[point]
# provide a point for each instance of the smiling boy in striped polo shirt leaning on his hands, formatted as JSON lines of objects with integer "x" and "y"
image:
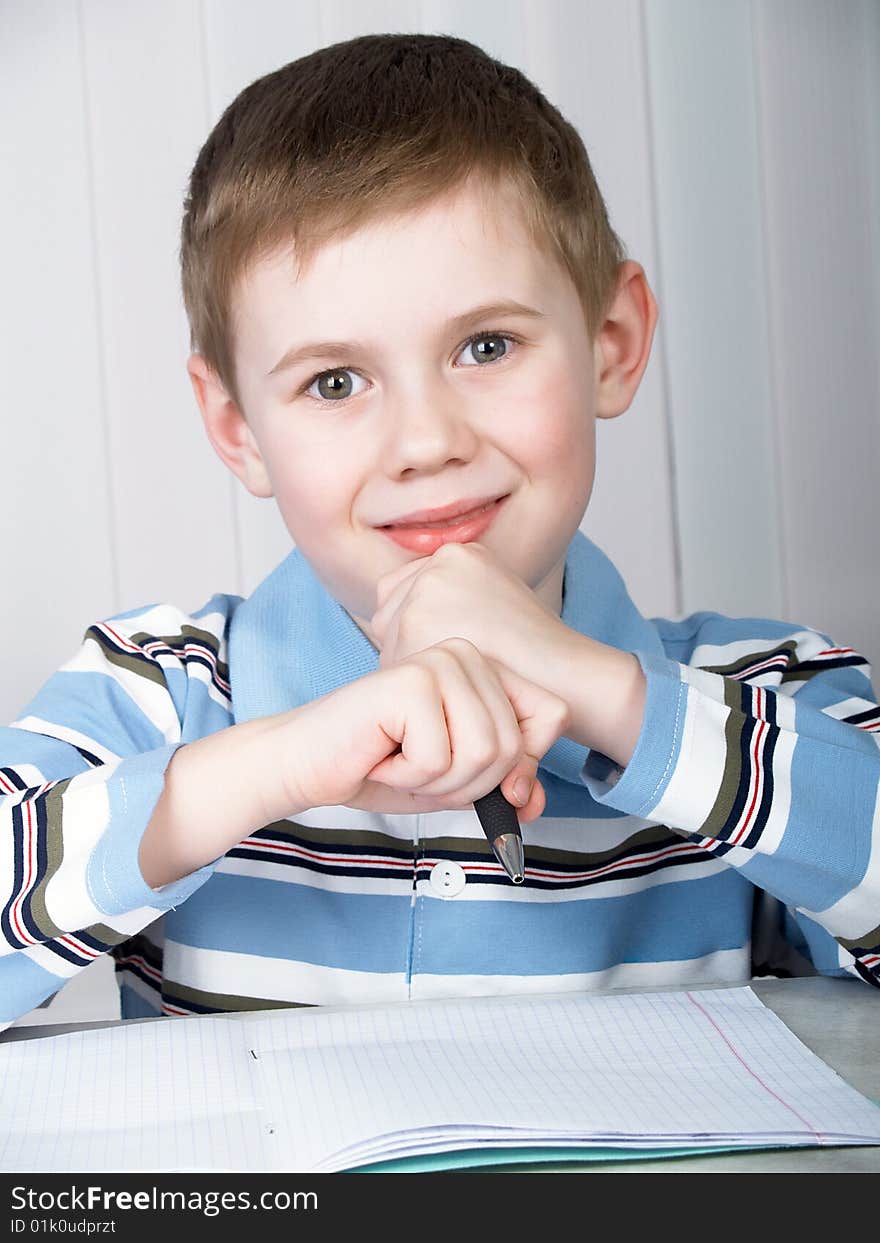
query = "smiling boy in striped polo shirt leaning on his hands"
{"x": 407, "y": 311}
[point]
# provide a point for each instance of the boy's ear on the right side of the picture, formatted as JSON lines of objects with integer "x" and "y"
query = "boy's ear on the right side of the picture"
{"x": 623, "y": 345}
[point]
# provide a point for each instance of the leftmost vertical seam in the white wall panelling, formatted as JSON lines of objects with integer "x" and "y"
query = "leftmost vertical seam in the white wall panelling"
{"x": 104, "y": 400}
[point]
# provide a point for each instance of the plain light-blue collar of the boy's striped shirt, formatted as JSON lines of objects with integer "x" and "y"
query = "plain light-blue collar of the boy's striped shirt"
{"x": 291, "y": 642}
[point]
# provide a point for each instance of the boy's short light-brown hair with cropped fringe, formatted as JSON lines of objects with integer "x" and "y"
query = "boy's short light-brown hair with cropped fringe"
{"x": 375, "y": 126}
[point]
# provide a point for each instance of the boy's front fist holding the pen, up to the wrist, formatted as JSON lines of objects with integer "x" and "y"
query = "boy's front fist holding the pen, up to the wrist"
{"x": 434, "y": 733}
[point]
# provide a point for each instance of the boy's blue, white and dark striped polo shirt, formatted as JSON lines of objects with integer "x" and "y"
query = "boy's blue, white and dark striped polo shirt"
{"x": 743, "y": 838}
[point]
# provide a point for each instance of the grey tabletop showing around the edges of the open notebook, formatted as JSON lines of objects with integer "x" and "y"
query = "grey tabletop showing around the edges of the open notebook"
{"x": 838, "y": 1020}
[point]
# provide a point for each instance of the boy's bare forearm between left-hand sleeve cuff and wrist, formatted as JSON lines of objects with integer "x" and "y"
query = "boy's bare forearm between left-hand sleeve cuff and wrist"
{"x": 218, "y": 790}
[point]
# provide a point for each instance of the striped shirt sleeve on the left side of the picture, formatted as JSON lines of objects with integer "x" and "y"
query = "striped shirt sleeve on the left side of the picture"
{"x": 81, "y": 773}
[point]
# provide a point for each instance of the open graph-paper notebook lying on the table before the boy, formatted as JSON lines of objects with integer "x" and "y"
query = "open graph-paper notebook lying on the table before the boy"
{"x": 432, "y": 1085}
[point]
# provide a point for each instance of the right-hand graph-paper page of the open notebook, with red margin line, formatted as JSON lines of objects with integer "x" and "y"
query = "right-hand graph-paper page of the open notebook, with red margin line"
{"x": 349, "y": 1086}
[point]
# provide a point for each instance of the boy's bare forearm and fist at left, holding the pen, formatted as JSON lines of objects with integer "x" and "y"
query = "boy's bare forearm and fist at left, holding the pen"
{"x": 434, "y": 733}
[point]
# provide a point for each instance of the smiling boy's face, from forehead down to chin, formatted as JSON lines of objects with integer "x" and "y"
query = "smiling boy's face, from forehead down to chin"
{"x": 412, "y": 418}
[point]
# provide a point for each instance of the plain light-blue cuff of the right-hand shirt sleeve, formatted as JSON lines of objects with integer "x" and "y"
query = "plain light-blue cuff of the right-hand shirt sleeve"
{"x": 639, "y": 787}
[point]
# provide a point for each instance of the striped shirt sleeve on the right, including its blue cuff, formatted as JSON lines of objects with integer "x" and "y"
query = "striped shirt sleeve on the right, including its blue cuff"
{"x": 772, "y": 763}
